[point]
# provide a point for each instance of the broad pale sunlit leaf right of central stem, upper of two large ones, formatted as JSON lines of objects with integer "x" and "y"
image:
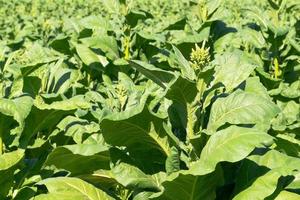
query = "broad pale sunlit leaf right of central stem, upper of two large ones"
{"x": 241, "y": 108}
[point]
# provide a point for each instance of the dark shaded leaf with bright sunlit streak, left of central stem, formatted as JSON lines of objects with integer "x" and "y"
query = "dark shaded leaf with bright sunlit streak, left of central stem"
{"x": 148, "y": 132}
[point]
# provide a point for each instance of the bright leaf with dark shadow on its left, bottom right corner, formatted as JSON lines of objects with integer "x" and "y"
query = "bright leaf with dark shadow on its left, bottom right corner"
{"x": 277, "y": 165}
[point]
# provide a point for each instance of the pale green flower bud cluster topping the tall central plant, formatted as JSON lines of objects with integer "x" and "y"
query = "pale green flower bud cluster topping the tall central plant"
{"x": 199, "y": 57}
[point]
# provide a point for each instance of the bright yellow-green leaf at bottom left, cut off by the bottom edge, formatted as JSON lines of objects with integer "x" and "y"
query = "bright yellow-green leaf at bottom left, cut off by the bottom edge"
{"x": 67, "y": 188}
